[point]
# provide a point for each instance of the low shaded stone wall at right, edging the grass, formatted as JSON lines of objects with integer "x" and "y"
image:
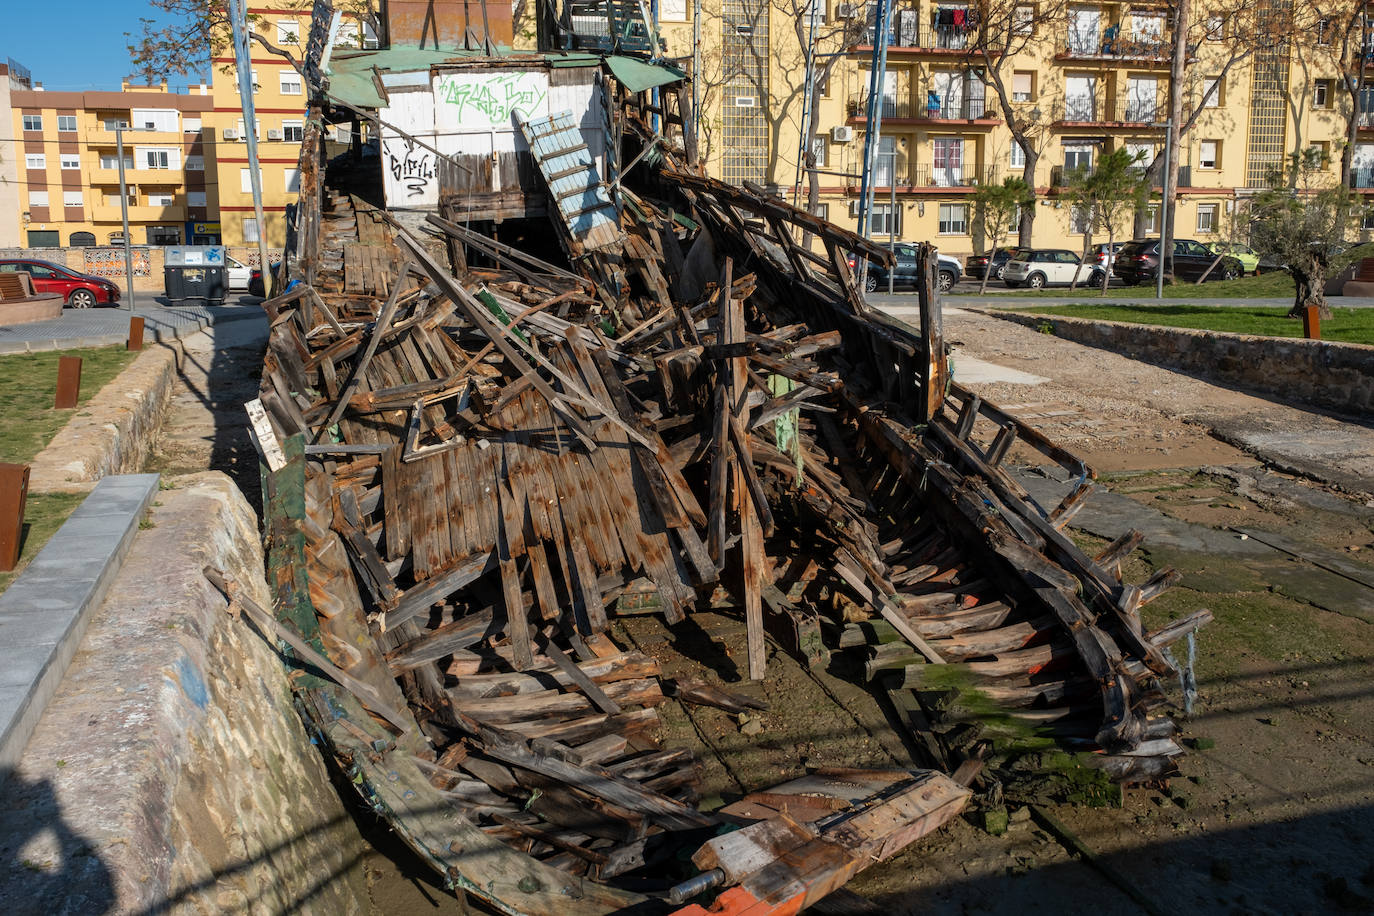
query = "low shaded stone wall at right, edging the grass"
{"x": 1339, "y": 377}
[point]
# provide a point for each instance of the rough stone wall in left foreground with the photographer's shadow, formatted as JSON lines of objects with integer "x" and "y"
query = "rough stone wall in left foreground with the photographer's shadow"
{"x": 171, "y": 771}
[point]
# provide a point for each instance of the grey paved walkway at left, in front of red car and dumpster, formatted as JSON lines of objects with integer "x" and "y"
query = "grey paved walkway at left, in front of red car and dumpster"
{"x": 104, "y": 328}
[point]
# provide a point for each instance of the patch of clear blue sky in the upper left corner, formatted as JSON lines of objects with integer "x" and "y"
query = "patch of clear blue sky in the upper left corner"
{"x": 74, "y": 46}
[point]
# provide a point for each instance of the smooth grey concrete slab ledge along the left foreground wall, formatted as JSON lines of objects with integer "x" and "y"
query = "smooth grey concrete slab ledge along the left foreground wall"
{"x": 46, "y": 610}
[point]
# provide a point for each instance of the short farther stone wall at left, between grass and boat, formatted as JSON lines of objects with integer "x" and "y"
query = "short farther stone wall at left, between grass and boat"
{"x": 115, "y": 432}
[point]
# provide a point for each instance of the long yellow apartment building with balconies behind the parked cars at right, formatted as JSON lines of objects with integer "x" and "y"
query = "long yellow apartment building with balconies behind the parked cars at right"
{"x": 1089, "y": 82}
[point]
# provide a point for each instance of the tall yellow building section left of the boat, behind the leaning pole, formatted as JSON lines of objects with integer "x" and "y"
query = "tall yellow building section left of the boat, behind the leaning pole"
{"x": 280, "y": 101}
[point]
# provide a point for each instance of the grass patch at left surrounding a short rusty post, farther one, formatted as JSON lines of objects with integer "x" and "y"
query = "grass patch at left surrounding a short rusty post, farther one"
{"x": 28, "y": 387}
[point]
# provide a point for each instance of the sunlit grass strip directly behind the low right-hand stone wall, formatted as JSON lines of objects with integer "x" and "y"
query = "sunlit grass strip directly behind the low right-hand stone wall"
{"x": 1346, "y": 326}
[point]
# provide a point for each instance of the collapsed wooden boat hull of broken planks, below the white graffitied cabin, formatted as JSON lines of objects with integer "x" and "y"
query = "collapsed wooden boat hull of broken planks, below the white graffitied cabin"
{"x": 480, "y": 453}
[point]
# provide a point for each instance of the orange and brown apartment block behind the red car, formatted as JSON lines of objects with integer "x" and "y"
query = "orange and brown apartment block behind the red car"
{"x": 68, "y": 185}
